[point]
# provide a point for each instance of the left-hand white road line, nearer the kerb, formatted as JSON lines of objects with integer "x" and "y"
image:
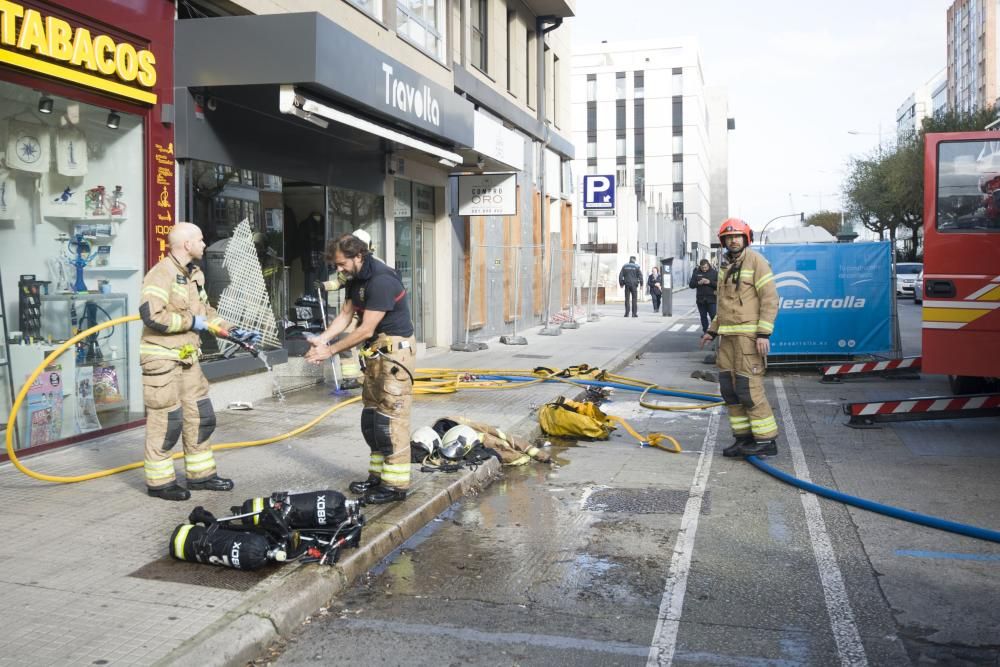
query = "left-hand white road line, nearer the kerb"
{"x": 668, "y": 620}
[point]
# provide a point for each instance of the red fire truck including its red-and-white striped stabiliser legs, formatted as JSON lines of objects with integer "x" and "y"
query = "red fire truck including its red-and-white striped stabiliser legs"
{"x": 961, "y": 288}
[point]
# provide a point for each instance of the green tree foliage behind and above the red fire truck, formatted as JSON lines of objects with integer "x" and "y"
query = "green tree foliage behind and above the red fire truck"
{"x": 885, "y": 189}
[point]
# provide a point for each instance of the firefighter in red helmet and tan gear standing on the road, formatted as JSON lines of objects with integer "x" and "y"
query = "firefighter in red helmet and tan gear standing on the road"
{"x": 748, "y": 304}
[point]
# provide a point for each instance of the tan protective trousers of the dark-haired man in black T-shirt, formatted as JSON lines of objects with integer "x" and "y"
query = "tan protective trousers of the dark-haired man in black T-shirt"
{"x": 387, "y": 396}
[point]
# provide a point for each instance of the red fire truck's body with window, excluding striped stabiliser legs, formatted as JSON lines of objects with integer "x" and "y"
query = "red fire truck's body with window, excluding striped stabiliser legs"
{"x": 961, "y": 290}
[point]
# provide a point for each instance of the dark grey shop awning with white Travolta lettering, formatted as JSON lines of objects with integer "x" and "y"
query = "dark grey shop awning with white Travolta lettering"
{"x": 317, "y": 57}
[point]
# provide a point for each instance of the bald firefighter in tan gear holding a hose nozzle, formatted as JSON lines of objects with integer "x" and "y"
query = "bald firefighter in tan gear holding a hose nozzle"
{"x": 174, "y": 309}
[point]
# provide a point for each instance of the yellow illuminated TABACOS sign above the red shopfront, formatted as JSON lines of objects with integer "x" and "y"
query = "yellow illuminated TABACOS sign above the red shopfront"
{"x": 52, "y": 46}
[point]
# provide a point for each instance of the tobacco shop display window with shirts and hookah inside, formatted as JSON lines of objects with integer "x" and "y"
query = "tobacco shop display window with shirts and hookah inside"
{"x": 71, "y": 256}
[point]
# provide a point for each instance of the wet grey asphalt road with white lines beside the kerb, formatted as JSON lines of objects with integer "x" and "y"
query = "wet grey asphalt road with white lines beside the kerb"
{"x": 621, "y": 555}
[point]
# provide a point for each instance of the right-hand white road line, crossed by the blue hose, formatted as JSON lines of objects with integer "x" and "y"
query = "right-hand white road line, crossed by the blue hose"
{"x": 838, "y": 606}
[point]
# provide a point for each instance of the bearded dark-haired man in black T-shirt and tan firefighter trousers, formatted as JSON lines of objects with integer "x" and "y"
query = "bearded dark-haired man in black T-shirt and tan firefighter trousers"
{"x": 385, "y": 335}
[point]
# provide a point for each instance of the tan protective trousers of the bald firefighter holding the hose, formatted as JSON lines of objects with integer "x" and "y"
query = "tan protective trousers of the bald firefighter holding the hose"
{"x": 177, "y": 408}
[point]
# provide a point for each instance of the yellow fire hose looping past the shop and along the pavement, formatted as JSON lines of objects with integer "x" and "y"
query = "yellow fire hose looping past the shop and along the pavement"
{"x": 428, "y": 381}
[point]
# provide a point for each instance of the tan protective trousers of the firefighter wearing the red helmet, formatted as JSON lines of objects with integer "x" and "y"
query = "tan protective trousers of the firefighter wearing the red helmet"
{"x": 741, "y": 380}
